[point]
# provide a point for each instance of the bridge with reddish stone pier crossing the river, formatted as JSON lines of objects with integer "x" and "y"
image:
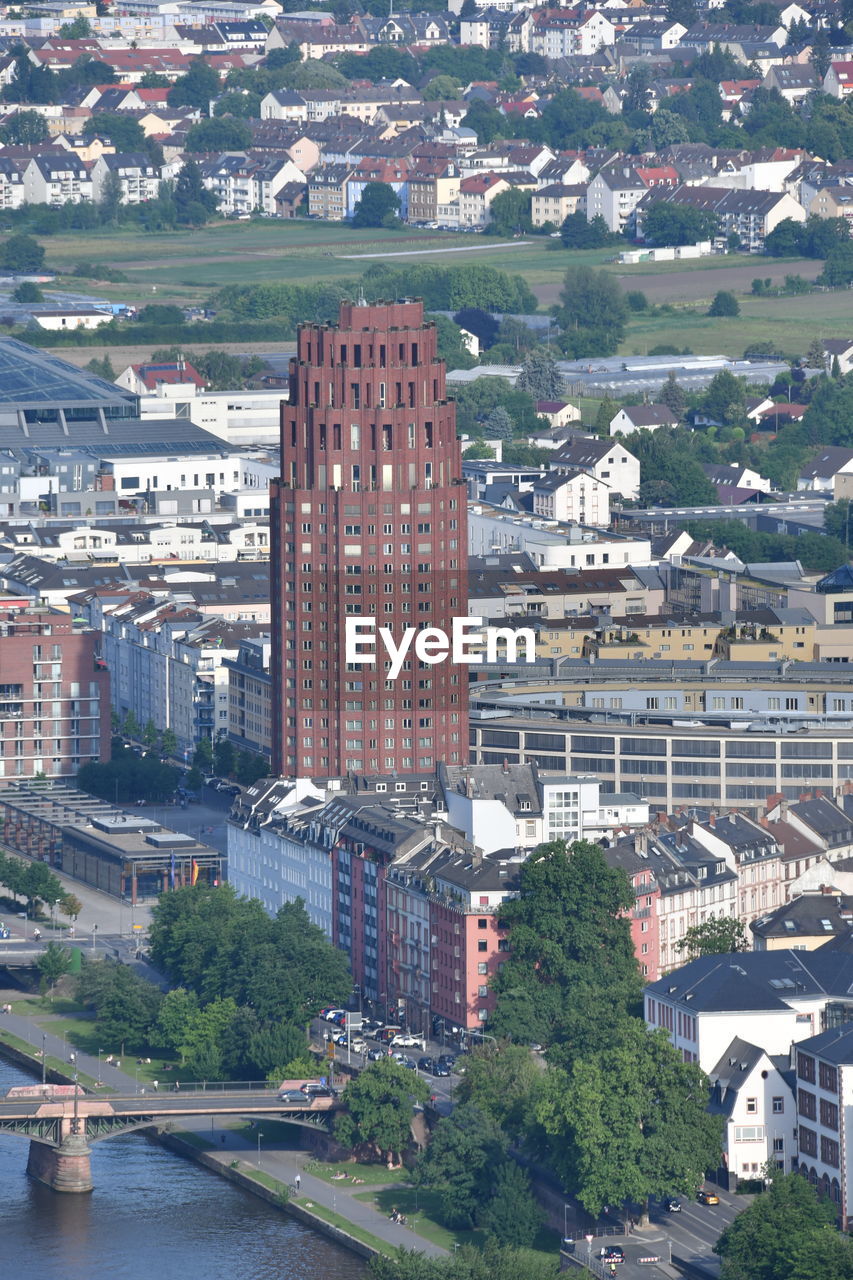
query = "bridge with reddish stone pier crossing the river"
{"x": 62, "y": 1126}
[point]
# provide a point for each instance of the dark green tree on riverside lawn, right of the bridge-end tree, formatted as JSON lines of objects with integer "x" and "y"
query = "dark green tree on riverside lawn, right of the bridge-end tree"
{"x": 460, "y": 1162}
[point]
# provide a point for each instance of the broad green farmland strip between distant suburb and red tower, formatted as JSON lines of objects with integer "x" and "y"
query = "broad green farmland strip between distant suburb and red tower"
{"x": 188, "y": 267}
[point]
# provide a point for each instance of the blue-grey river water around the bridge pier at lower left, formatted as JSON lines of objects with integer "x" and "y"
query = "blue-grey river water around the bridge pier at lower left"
{"x": 152, "y": 1217}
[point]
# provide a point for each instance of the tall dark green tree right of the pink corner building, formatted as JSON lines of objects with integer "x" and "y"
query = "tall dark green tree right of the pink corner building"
{"x": 571, "y": 948}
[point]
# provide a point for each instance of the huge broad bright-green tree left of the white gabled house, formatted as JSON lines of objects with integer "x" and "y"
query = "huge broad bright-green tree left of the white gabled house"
{"x": 630, "y": 1121}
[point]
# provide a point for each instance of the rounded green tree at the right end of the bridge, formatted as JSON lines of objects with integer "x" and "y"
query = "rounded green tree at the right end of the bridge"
{"x": 378, "y": 1110}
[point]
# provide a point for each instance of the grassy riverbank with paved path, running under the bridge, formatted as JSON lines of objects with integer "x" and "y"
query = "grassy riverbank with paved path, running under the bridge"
{"x": 268, "y": 1174}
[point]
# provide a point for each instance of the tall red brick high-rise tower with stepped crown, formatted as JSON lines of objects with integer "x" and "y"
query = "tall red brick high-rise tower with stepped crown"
{"x": 370, "y": 522}
